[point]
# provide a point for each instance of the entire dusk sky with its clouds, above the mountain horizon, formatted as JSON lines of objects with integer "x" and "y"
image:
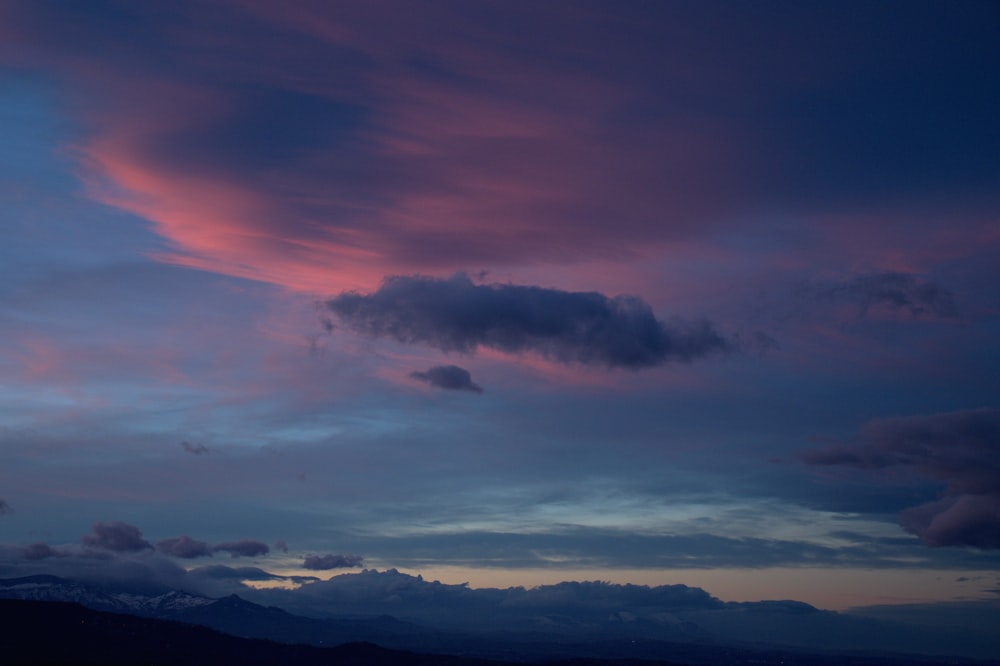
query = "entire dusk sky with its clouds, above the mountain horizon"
{"x": 506, "y": 293}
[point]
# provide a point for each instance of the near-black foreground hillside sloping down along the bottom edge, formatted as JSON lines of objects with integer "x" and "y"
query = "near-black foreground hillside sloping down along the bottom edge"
{"x": 44, "y": 632}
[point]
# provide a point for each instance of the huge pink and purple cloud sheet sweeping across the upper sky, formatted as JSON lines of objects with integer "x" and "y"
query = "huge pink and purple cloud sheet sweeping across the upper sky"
{"x": 529, "y": 152}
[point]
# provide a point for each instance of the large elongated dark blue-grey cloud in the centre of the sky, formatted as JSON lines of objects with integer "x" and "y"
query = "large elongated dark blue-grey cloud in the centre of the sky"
{"x": 455, "y": 314}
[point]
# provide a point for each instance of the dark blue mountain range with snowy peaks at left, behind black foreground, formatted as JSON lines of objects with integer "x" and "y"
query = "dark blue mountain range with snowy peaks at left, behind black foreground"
{"x": 562, "y": 638}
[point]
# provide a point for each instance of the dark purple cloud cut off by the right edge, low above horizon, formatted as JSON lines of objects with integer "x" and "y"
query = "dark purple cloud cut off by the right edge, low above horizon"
{"x": 960, "y": 449}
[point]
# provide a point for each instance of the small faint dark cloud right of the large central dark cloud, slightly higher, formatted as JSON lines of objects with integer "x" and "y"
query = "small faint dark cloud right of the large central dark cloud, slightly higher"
{"x": 894, "y": 291}
